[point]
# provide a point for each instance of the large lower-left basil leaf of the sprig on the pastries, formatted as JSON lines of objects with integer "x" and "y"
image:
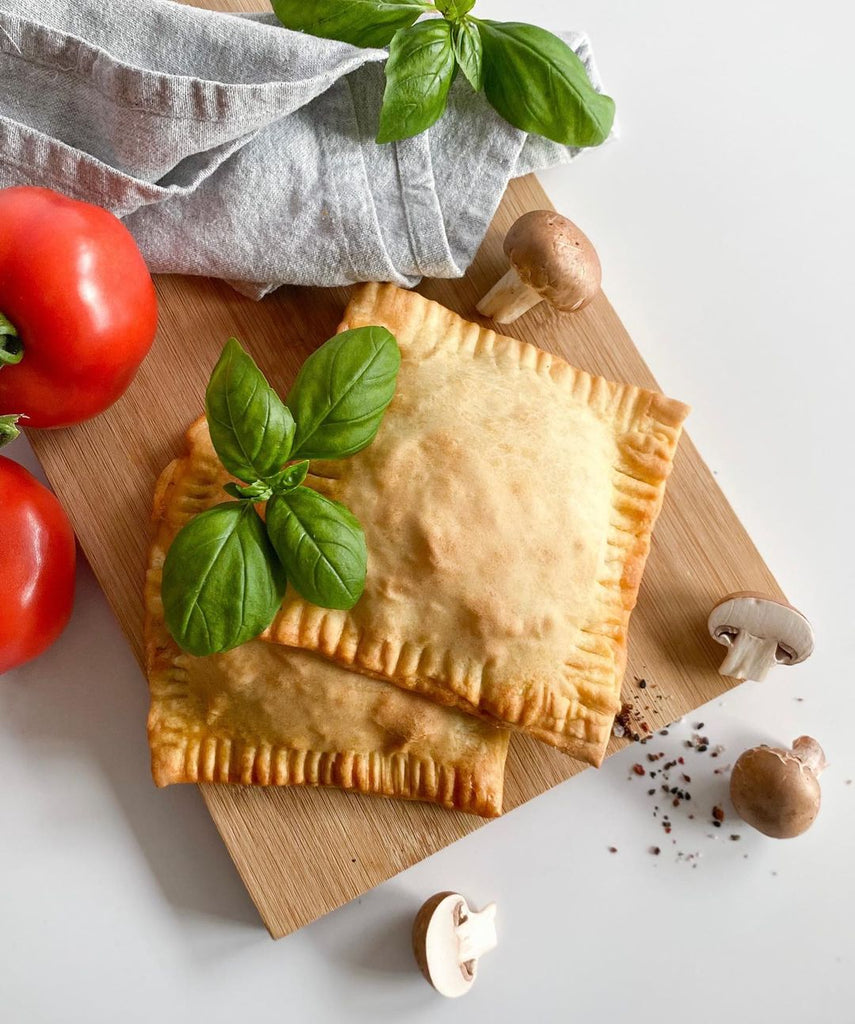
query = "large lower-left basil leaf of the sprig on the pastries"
{"x": 223, "y": 582}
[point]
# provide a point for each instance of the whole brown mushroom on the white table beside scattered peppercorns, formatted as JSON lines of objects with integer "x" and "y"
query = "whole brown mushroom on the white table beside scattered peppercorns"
{"x": 778, "y": 791}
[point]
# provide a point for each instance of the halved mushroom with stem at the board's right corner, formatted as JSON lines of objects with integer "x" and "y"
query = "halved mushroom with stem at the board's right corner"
{"x": 760, "y": 632}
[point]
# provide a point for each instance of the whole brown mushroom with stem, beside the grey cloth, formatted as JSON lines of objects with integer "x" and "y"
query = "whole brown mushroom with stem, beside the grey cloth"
{"x": 550, "y": 260}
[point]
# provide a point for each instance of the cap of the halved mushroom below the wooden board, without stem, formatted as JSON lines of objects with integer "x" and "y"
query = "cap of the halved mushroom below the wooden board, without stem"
{"x": 437, "y": 947}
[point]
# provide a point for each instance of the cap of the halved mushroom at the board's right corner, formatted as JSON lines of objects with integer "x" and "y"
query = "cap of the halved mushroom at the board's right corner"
{"x": 766, "y": 618}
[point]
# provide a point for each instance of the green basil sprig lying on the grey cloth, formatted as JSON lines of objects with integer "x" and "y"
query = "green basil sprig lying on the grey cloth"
{"x": 532, "y": 78}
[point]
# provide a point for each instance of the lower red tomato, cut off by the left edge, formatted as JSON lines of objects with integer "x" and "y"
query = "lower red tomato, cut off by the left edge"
{"x": 37, "y": 558}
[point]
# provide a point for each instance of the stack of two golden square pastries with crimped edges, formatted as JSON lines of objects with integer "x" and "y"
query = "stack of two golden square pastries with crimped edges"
{"x": 508, "y": 503}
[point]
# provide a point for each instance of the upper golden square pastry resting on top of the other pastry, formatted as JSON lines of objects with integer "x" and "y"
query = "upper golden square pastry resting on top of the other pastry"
{"x": 507, "y": 502}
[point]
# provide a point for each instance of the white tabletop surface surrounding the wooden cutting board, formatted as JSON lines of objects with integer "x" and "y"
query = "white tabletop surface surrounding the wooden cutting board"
{"x": 724, "y": 221}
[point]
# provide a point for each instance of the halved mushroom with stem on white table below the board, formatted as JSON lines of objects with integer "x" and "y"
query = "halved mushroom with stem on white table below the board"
{"x": 449, "y": 938}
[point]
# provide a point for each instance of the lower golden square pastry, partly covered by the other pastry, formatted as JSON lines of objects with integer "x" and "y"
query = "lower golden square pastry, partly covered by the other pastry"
{"x": 267, "y": 715}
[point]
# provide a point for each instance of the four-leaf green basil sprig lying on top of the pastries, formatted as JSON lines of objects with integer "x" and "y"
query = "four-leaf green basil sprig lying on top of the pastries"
{"x": 227, "y": 571}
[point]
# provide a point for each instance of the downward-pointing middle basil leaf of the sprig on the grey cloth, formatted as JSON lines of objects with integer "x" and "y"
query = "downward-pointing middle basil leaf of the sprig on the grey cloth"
{"x": 419, "y": 75}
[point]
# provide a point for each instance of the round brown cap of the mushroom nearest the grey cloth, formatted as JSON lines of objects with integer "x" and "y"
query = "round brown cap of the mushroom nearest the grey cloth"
{"x": 551, "y": 255}
